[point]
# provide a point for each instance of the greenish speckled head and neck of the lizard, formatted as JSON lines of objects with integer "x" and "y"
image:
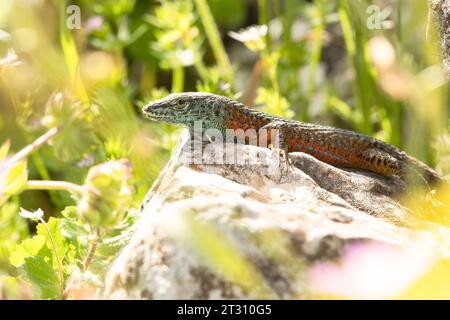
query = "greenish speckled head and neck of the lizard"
{"x": 187, "y": 107}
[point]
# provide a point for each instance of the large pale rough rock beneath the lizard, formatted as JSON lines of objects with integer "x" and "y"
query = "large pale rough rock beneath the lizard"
{"x": 200, "y": 223}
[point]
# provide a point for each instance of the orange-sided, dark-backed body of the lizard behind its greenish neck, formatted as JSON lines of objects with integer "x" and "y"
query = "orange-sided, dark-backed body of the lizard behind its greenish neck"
{"x": 338, "y": 147}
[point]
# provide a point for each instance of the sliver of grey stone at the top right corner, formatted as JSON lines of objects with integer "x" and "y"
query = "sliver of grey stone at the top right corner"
{"x": 441, "y": 9}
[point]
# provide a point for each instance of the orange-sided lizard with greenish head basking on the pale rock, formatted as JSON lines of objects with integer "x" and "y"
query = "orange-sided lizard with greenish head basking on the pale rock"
{"x": 335, "y": 146}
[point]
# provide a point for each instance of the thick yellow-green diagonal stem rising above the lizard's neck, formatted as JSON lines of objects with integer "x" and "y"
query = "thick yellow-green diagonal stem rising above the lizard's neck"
{"x": 214, "y": 39}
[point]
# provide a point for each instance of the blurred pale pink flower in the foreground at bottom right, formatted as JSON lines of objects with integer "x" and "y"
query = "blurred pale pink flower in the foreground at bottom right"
{"x": 370, "y": 271}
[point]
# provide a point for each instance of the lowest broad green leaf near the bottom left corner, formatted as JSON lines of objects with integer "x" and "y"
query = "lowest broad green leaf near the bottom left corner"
{"x": 42, "y": 276}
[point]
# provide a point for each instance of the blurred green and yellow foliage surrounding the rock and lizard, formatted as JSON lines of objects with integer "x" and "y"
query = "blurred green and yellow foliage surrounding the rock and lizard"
{"x": 81, "y": 89}
